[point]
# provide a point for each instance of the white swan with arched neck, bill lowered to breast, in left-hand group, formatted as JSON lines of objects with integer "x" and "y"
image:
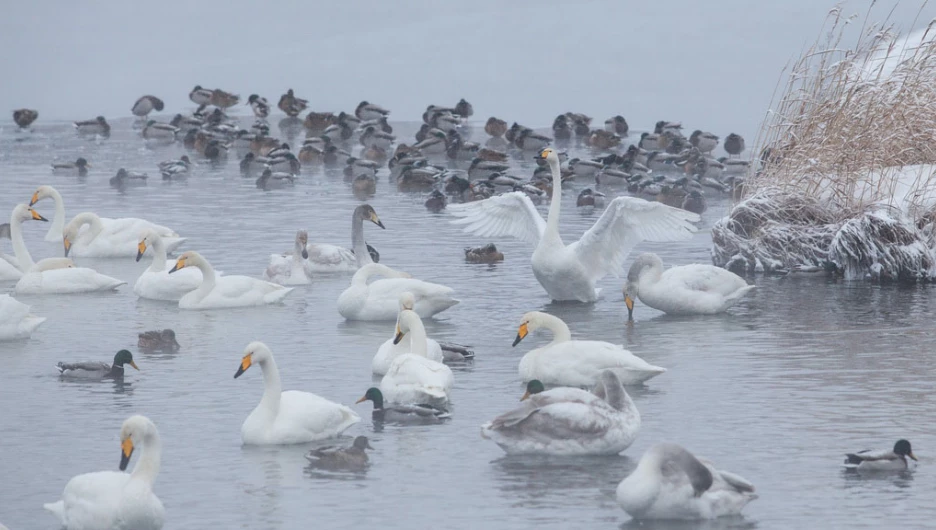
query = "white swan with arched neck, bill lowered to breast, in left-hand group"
{"x": 116, "y": 239}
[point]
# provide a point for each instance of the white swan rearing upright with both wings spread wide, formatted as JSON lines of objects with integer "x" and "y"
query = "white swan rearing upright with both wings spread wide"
{"x": 570, "y": 272}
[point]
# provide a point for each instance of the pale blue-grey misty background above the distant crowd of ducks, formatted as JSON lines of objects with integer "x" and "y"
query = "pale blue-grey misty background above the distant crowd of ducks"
{"x": 711, "y": 65}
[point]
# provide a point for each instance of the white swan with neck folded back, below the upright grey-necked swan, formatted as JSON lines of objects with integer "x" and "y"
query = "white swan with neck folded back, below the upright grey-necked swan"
{"x": 379, "y": 300}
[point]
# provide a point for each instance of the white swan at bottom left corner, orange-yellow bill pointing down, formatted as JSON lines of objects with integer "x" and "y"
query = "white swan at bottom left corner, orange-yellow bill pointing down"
{"x": 111, "y": 499}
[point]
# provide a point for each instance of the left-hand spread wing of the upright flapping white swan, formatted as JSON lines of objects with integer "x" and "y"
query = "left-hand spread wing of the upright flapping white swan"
{"x": 511, "y": 214}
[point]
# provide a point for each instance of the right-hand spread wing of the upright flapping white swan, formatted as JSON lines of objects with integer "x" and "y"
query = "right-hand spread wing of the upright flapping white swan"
{"x": 626, "y": 222}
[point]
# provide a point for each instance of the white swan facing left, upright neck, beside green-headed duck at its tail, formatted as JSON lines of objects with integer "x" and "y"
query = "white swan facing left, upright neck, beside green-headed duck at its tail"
{"x": 288, "y": 417}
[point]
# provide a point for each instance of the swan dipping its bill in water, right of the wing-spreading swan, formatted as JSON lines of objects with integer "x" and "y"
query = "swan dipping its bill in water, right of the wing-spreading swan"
{"x": 687, "y": 289}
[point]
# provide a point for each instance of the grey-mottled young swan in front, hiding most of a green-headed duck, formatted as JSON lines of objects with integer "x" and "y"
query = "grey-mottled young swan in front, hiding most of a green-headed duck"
{"x": 569, "y": 421}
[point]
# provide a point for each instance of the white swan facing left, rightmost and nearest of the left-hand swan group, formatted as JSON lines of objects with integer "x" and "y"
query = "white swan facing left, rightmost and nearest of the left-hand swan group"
{"x": 217, "y": 292}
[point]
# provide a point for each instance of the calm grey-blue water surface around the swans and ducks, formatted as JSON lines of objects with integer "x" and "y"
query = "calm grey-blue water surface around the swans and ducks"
{"x": 776, "y": 390}
